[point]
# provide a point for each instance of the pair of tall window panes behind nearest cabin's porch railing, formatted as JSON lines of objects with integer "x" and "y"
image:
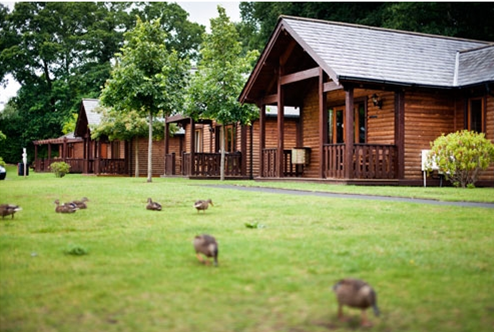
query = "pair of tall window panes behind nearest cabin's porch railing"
{"x": 336, "y": 124}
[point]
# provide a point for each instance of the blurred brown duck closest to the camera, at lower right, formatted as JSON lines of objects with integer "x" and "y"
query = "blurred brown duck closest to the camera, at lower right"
{"x": 356, "y": 293}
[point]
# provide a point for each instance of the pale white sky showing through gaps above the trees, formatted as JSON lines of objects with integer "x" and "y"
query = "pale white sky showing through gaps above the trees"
{"x": 199, "y": 11}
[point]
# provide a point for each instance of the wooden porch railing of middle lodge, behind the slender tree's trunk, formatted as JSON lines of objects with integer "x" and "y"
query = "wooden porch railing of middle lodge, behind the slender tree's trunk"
{"x": 208, "y": 164}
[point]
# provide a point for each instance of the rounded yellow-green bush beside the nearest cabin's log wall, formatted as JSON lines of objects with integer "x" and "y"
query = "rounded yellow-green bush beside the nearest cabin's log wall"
{"x": 462, "y": 156}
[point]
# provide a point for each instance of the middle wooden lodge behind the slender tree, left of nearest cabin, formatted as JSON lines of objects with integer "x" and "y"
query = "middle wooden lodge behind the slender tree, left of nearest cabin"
{"x": 198, "y": 153}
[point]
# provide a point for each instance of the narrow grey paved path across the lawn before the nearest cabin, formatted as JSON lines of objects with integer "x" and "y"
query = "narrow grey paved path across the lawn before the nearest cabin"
{"x": 354, "y": 196}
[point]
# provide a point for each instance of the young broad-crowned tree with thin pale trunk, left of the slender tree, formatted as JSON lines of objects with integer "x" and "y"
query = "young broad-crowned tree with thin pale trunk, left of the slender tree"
{"x": 147, "y": 78}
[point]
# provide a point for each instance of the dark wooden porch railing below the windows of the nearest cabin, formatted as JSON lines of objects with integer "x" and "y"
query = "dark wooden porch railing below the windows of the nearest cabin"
{"x": 370, "y": 161}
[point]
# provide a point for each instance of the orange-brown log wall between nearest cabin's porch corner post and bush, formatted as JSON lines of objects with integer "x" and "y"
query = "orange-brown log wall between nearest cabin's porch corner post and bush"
{"x": 427, "y": 116}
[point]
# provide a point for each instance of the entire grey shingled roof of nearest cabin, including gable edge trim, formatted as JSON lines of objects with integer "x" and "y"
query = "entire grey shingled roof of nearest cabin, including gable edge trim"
{"x": 350, "y": 52}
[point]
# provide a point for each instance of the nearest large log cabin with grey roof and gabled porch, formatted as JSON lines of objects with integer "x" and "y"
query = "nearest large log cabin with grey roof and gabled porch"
{"x": 370, "y": 99}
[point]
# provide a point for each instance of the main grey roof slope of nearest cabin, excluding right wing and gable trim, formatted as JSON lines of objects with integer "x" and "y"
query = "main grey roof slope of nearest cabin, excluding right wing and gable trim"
{"x": 380, "y": 55}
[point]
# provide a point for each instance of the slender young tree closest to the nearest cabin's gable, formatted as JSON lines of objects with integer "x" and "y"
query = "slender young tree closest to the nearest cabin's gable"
{"x": 221, "y": 75}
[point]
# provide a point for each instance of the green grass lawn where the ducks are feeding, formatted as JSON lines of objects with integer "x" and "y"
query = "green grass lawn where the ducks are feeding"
{"x": 118, "y": 267}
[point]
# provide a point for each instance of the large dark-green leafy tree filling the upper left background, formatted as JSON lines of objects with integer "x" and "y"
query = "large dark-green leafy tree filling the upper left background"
{"x": 61, "y": 52}
